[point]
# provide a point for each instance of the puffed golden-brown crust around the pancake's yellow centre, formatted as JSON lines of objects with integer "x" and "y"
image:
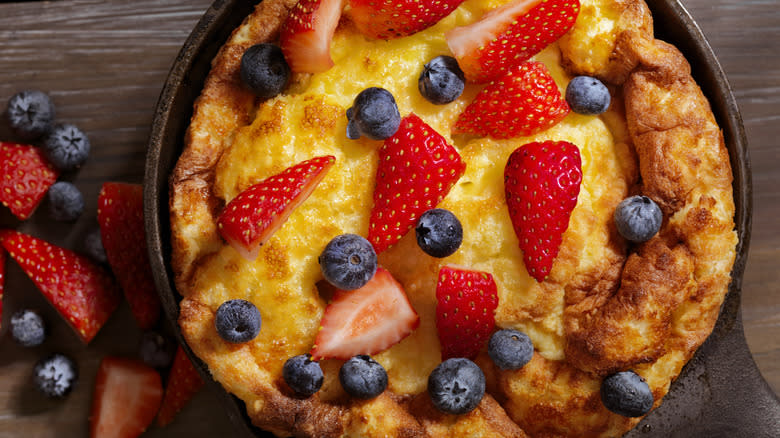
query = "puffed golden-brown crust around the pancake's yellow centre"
{"x": 646, "y": 307}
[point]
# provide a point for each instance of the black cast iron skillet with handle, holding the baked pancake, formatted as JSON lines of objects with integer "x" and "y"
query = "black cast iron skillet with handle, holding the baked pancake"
{"x": 720, "y": 393}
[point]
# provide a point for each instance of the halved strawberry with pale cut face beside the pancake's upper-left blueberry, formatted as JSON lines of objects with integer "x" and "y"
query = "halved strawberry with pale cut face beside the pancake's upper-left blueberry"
{"x": 306, "y": 34}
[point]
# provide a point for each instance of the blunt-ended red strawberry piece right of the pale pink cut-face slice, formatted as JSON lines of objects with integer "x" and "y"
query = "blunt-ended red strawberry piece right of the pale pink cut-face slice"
{"x": 465, "y": 310}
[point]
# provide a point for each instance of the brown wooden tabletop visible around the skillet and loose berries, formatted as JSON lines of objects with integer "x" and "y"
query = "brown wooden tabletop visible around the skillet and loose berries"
{"x": 104, "y": 64}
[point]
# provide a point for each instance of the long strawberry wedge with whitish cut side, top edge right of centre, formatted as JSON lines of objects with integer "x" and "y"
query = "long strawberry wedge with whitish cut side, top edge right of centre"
{"x": 510, "y": 35}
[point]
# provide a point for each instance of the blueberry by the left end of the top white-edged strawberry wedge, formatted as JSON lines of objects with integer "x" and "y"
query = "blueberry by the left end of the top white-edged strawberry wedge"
{"x": 441, "y": 80}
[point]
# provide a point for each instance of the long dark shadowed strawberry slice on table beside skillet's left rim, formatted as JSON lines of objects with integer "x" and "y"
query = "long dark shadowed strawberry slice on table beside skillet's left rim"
{"x": 121, "y": 219}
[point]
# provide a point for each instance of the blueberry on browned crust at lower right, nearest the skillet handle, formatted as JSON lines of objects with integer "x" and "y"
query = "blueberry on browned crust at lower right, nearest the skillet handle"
{"x": 627, "y": 394}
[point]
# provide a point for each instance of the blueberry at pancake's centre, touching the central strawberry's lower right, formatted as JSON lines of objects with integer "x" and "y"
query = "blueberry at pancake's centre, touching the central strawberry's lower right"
{"x": 439, "y": 232}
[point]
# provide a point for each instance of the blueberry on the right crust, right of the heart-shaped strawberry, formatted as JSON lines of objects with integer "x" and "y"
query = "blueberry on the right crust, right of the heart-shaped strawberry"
{"x": 638, "y": 218}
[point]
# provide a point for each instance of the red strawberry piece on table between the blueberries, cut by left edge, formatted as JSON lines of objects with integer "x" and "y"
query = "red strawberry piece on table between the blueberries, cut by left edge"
{"x": 25, "y": 176}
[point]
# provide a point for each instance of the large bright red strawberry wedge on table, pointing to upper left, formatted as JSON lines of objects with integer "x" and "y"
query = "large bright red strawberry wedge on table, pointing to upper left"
{"x": 82, "y": 292}
